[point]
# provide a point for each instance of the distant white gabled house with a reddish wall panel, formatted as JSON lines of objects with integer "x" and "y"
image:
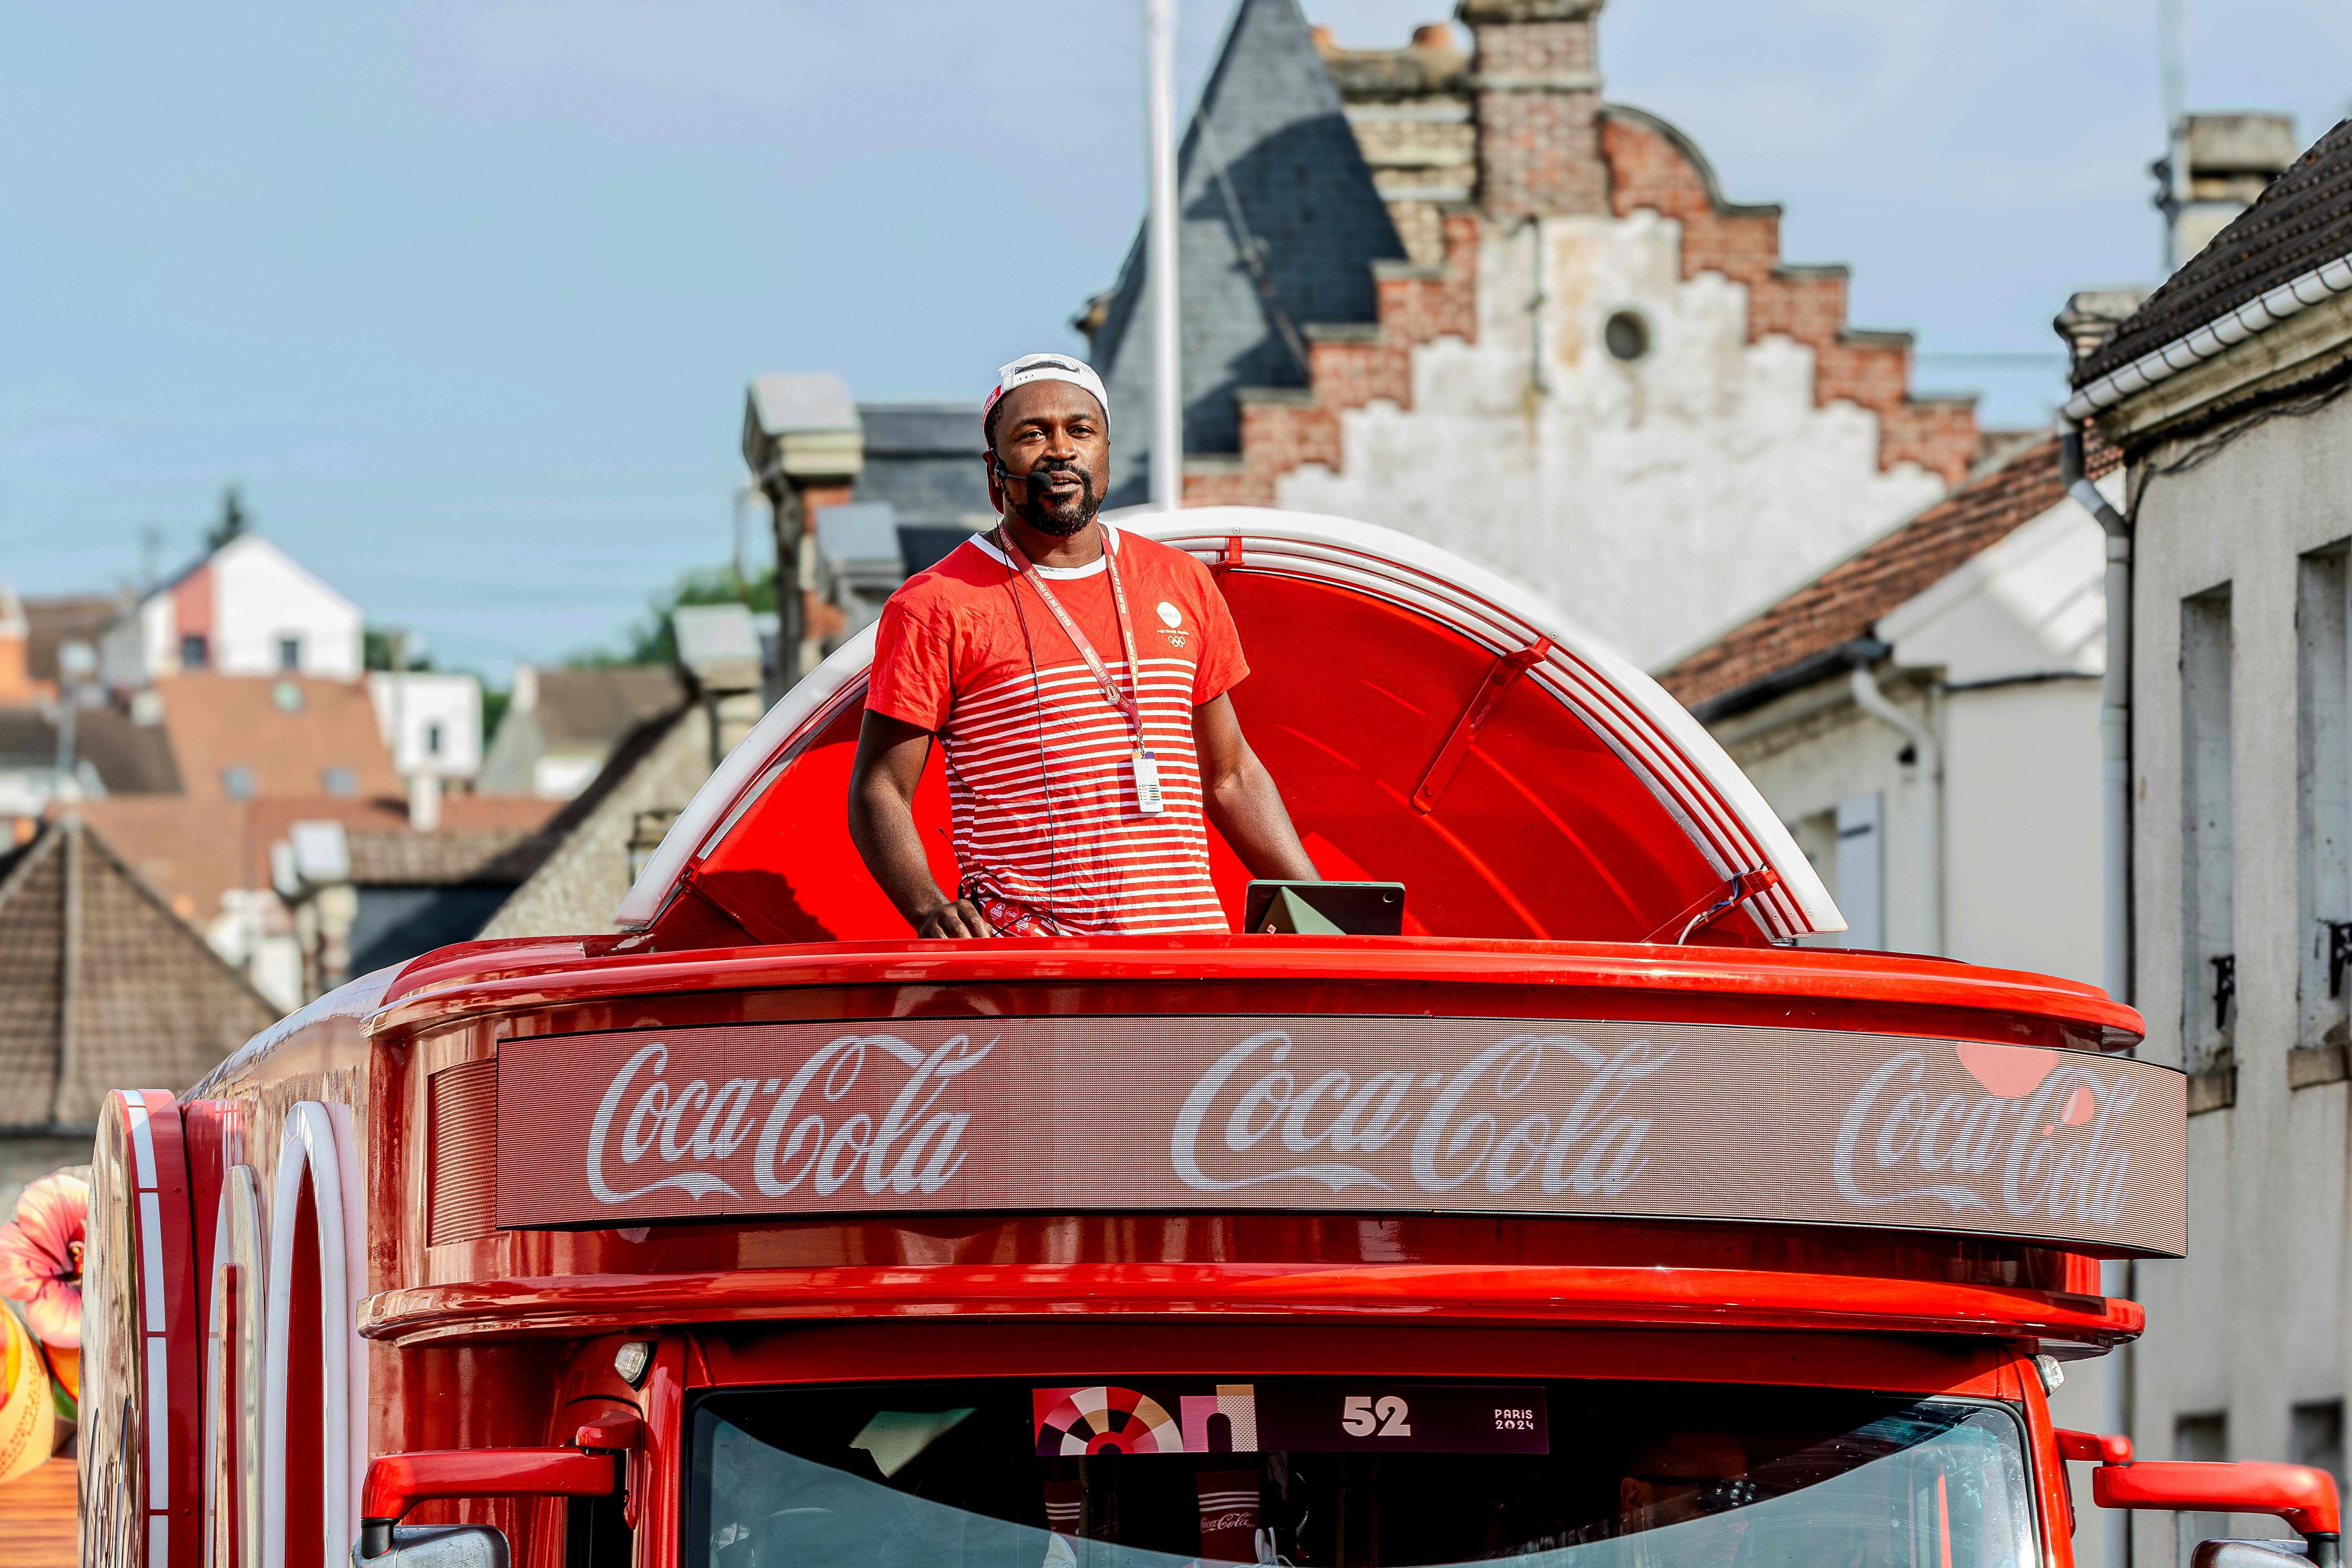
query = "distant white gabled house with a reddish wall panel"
{"x": 243, "y": 610}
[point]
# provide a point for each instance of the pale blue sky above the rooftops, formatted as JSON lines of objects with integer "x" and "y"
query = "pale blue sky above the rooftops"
{"x": 465, "y": 295}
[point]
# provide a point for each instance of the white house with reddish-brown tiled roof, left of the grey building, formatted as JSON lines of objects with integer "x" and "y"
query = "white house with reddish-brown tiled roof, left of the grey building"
{"x": 1925, "y": 716}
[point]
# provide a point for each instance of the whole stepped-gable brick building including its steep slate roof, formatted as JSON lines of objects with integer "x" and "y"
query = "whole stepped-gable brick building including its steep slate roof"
{"x": 1466, "y": 297}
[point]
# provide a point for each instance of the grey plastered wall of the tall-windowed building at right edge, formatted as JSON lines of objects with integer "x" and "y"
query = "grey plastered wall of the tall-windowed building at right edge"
{"x": 2252, "y": 1322}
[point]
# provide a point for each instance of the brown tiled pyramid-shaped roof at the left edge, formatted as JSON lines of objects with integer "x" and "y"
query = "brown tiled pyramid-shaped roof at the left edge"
{"x": 147, "y": 1005}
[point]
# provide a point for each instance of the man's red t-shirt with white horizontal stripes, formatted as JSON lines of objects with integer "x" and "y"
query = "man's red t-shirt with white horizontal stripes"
{"x": 1048, "y": 829}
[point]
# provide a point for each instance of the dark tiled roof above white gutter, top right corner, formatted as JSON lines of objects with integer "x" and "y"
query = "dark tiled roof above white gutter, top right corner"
{"x": 2301, "y": 222}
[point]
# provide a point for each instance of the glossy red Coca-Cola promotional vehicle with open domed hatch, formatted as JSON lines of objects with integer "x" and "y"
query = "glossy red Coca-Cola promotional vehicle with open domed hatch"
{"x": 1591, "y": 1221}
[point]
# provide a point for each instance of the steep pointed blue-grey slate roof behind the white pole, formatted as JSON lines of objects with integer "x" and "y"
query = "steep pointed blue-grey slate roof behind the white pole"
{"x": 1274, "y": 119}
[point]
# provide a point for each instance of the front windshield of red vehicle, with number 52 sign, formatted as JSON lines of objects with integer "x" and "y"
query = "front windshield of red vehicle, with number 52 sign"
{"x": 1354, "y": 1475}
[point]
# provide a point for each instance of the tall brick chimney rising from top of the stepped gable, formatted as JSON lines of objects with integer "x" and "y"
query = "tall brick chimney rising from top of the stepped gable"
{"x": 1539, "y": 91}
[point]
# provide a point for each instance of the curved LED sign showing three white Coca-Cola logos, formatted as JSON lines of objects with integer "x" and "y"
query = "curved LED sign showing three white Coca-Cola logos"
{"x": 1462, "y": 1115}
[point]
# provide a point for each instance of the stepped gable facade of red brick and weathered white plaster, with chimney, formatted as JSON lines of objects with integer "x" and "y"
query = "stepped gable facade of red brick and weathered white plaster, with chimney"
{"x": 1586, "y": 363}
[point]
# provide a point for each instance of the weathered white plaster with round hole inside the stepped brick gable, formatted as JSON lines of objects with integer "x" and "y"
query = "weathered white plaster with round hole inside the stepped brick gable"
{"x": 1655, "y": 502}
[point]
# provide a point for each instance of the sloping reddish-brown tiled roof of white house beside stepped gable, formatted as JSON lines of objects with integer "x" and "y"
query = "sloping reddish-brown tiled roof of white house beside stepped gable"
{"x": 1808, "y": 634}
